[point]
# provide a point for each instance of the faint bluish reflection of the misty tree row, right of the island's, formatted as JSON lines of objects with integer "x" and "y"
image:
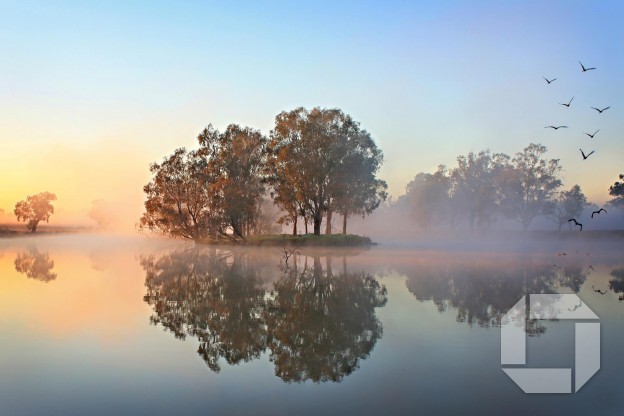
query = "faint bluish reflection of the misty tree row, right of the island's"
{"x": 482, "y": 293}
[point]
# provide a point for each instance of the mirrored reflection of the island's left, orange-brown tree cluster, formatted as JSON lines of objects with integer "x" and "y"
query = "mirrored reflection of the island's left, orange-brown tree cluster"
{"x": 213, "y": 296}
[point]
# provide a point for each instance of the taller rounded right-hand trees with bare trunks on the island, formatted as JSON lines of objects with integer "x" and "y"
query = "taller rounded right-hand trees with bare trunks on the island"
{"x": 310, "y": 153}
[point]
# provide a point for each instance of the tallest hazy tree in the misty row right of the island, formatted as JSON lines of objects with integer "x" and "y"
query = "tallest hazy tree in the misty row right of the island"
{"x": 528, "y": 185}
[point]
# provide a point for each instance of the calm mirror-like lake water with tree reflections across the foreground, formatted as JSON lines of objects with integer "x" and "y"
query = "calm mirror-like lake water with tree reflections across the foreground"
{"x": 98, "y": 326}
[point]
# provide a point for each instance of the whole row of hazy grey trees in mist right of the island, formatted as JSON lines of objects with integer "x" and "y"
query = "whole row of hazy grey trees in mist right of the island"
{"x": 484, "y": 187}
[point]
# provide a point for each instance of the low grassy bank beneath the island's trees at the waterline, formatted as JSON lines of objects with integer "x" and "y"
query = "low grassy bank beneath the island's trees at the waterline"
{"x": 306, "y": 240}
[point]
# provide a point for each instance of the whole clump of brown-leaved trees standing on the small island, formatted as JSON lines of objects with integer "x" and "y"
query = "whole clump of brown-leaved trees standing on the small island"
{"x": 313, "y": 164}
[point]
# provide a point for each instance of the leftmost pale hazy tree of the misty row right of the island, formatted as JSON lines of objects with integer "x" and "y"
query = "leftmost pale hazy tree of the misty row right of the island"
{"x": 428, "y": 197}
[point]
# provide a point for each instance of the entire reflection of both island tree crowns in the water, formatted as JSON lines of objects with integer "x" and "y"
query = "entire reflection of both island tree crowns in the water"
{"x": 317, "y": 324}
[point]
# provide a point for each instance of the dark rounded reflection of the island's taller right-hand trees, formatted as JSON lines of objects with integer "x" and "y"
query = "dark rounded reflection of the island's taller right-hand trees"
{"x": 321, "y": 324}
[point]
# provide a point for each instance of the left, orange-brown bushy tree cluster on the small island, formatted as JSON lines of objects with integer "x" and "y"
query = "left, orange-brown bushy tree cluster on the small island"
{"x": 211, "y": 192}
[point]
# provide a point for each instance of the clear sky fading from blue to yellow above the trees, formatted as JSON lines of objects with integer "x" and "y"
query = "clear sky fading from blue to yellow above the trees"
{"x": 91, "y": 93}
